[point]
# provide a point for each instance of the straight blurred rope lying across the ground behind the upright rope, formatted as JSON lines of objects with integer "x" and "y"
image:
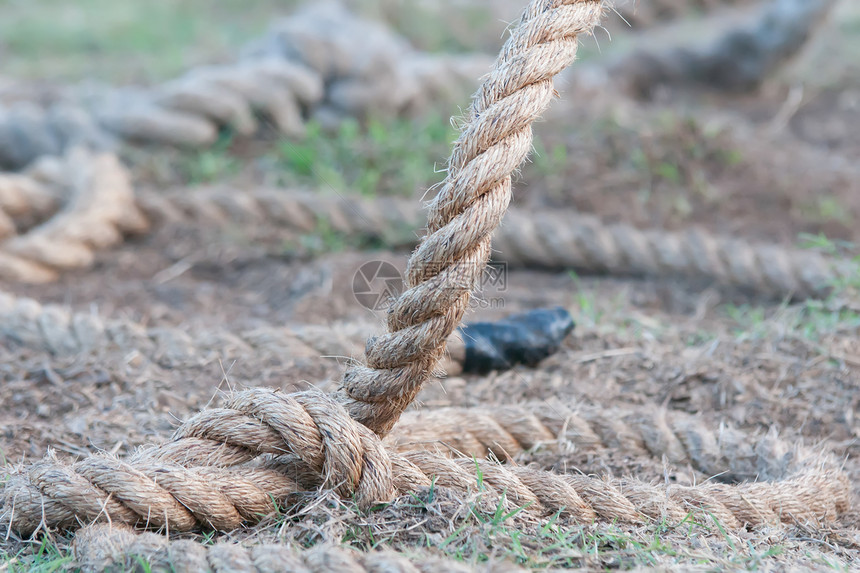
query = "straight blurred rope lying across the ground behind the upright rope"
{"x": 542, "y": 239}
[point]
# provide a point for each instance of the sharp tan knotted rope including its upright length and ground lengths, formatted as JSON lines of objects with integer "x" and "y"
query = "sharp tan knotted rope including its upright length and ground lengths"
{"x": 228, "y": 466}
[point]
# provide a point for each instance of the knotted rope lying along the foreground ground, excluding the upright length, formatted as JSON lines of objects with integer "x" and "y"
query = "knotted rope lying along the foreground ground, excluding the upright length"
{"x": 227, "y": 466}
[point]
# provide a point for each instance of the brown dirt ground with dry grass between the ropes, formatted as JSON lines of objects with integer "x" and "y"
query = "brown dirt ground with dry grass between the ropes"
{"x": 727, "y": 357}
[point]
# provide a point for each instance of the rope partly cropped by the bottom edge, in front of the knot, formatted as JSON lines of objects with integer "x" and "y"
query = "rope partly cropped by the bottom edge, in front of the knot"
{"x": 114, "y": 547}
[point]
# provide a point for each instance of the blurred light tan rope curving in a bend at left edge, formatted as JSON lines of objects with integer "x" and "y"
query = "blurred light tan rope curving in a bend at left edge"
{"x": 100, "y": 209}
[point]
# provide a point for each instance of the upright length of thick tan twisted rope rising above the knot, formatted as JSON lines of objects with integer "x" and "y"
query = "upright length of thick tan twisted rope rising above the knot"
{"x": 448, "y": 263}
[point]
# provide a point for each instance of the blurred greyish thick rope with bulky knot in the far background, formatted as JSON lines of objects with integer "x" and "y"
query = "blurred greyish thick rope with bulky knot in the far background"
{"x": 298, "y": 70}
